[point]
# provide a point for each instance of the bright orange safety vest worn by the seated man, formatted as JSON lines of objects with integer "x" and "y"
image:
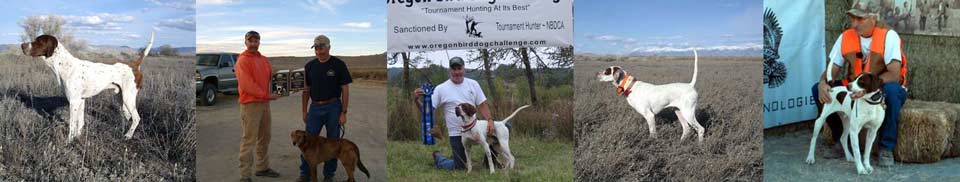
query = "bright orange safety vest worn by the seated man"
{"x": 850, "y": 47}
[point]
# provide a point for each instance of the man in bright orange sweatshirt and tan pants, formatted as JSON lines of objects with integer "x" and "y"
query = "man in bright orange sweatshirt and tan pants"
{"x": 253, "y": 80}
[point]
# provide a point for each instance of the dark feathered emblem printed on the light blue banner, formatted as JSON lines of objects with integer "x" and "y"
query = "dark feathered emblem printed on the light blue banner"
{"x": 774, "y": 72}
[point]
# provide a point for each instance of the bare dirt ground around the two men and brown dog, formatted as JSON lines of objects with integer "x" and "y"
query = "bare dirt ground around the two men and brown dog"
{"x": 219, "y": 136}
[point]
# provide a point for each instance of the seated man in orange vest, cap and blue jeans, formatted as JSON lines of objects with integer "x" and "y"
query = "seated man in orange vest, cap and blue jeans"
{"x": 868, "y": 46}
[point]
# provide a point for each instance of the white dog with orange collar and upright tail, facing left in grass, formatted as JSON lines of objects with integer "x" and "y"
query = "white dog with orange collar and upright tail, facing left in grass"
{"x": 649, "y": 99}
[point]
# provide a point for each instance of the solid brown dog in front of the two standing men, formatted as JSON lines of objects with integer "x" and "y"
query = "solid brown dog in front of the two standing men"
{"x": 317, "y": 149}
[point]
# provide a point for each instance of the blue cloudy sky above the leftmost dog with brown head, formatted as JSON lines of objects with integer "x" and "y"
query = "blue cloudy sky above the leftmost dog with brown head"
{"x": 109, "y": 22}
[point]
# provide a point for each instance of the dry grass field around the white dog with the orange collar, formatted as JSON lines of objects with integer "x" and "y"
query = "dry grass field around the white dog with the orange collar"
{"x": 612, "y": 141}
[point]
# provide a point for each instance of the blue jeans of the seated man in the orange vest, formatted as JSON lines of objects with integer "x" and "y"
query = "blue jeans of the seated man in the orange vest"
{"x": 895, "y": 96}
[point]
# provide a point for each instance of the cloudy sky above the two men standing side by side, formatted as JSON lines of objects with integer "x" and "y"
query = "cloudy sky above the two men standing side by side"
{"x": 287, "y": 28}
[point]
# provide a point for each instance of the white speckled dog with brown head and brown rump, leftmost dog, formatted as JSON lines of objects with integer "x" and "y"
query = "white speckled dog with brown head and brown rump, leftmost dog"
{"x": 82, "y": 79}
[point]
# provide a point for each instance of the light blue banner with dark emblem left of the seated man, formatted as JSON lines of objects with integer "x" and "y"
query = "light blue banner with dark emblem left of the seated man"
{"x": 794, "y": 58}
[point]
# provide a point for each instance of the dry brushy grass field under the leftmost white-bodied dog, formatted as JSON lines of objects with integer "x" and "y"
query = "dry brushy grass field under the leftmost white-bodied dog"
{"x": 33, "y": 127}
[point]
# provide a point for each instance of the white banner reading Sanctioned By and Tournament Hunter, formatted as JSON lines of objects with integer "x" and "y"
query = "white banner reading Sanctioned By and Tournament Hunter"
{"x": 416, "y": 25}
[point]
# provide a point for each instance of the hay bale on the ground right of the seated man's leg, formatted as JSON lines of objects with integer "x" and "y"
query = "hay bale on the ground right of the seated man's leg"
{"x": 924, "y": 132}
